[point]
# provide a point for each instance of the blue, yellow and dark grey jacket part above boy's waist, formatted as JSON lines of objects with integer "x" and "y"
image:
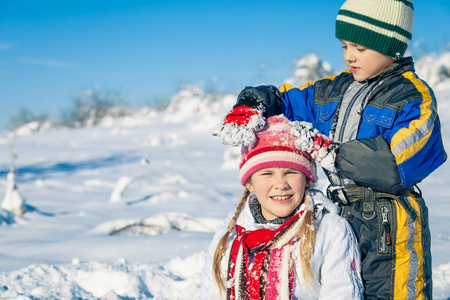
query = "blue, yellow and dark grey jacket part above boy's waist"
{"x": 399, "y": 139}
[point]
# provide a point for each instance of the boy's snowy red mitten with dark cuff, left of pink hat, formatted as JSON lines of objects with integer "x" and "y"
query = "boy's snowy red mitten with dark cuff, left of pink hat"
{"x": 247, "y": 115}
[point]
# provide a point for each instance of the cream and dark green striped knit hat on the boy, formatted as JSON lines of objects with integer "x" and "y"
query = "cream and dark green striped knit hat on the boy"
{"x": 381, "y": 25}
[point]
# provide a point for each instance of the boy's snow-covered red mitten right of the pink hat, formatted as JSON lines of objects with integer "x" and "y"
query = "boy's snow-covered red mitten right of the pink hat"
{"x": 318, "y": 145}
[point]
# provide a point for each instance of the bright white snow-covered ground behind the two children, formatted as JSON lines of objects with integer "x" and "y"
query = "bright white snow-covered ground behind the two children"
{"x": 127, "y": 209}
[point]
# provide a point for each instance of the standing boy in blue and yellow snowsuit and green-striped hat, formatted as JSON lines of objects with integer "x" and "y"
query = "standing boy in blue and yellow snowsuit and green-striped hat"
{"x": 386, "y": 132}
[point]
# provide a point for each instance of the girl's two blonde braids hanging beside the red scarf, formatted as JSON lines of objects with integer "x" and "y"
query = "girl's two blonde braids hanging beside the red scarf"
{"x": 307, "y": 241}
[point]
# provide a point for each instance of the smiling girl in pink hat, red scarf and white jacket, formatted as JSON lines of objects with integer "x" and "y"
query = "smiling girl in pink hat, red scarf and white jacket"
{"x": 285, "y": 240}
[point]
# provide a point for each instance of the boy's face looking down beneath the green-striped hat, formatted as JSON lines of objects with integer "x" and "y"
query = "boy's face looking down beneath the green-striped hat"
{"x": 364, "y": 62}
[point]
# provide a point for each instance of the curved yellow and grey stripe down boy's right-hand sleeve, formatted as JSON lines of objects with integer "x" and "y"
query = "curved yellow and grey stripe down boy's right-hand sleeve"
{"x": 409, "y": 140}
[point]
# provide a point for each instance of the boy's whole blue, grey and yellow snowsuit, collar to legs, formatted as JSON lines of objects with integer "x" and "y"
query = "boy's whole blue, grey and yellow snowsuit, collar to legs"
{"x": 390, "y": 138}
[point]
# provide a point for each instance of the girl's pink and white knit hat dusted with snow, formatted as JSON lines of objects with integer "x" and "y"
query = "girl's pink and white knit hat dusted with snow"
{"x": 275, "y": 147}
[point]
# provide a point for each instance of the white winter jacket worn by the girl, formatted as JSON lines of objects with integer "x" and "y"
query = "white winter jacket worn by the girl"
{"x": 336, "y": 261}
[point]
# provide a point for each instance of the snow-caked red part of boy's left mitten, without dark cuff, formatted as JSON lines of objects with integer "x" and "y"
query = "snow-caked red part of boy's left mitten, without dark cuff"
{"x": 239, "y": 126}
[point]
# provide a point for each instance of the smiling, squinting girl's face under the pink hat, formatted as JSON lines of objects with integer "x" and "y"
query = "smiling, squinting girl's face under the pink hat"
{"x": 278, "y": 190}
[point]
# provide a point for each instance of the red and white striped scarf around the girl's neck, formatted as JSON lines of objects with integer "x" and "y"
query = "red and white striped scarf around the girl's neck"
{"x": 261, "y": 264}
